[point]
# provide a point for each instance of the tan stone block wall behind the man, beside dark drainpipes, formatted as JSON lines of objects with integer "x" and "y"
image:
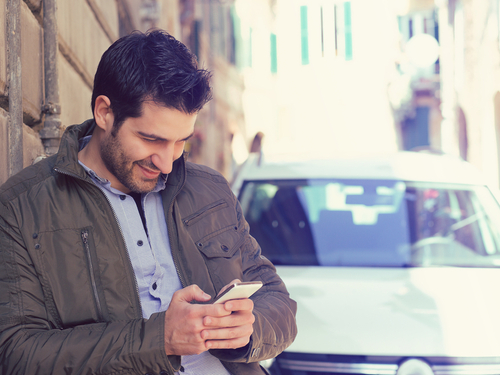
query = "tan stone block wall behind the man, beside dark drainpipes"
{"x": 85, "y": 30}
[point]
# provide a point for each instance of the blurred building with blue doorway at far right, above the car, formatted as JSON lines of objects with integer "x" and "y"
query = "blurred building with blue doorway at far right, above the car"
{"x": 454, "y": 104}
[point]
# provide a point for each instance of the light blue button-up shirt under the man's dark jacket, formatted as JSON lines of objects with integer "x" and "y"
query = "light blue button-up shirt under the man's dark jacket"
{"x": 151, "y": 257}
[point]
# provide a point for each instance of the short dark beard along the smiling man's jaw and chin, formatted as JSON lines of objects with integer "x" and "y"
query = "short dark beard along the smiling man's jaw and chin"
{"x": 116, "y": 161}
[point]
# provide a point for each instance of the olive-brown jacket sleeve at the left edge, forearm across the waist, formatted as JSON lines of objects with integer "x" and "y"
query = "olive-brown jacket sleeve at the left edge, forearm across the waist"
{"x": 31, "y": 343}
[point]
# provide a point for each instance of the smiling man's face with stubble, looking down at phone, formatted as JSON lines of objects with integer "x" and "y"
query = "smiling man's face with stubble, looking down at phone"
{"x": 145, "y": 147}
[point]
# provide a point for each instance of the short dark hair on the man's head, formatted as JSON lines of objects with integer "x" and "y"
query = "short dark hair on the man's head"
{"x": 150, "y": 66}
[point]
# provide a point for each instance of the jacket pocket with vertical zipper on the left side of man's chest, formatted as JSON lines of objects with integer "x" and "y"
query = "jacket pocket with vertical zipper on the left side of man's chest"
{"x": 70, "y": 276}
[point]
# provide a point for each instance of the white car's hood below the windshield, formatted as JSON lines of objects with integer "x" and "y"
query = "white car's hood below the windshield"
{"x": 396, "y": 311}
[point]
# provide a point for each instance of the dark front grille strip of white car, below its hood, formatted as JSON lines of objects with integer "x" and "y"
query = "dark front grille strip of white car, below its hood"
{"x": 316, "y": 364}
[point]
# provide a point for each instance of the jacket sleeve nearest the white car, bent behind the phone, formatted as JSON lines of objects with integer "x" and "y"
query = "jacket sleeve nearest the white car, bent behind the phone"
{"x": 275, "y": 327}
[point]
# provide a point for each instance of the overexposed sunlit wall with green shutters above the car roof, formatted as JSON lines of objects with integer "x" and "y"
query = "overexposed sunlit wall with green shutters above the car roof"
{"x": 323, "y": 88}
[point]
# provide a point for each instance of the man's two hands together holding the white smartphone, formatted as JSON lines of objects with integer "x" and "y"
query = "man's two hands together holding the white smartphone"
{"x": 193, "y": 328}
